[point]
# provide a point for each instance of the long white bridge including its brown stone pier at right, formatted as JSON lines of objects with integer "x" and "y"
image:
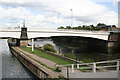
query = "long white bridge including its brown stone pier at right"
{"x": 112, "y": 38}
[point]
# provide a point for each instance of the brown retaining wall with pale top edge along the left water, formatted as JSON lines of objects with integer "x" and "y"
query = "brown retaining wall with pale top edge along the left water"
{"x": 39, "y": 70}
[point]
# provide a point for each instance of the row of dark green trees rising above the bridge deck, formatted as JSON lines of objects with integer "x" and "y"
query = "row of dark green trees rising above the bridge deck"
{"x": 98, "y": 27}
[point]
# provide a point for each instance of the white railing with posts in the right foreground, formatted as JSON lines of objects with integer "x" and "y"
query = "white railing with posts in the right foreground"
{"x": 96, "y": 66}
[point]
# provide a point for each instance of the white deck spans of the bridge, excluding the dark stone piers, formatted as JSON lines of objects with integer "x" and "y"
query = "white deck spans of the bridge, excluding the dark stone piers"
{"x": 34, "y": 33}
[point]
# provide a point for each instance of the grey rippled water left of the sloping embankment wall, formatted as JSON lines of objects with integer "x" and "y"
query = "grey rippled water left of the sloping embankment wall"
{"x": 11, "y": 67}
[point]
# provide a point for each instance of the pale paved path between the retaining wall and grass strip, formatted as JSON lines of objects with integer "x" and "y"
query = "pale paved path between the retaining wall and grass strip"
{"x": 49, "y": 63}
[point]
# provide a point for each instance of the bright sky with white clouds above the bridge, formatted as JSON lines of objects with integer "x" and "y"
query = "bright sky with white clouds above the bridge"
{"x": 45, "y": 13}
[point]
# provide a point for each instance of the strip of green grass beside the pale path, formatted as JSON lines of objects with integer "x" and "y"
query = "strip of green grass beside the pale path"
{"x": 46, "y": 56}
